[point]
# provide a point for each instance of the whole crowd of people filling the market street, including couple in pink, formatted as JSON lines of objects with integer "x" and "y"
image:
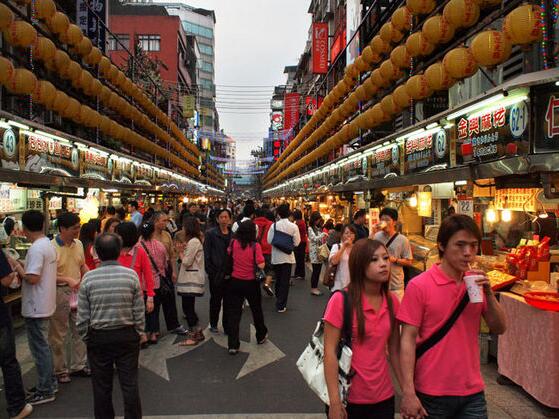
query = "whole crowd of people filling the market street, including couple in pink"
{"x": 105, "y": 282}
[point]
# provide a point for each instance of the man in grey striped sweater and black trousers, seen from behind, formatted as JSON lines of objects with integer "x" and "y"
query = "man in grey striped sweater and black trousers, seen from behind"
{"x": 110, "y": 320}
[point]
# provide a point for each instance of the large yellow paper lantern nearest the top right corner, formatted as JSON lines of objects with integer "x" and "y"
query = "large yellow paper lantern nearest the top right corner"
{"x": 523, "y": 24}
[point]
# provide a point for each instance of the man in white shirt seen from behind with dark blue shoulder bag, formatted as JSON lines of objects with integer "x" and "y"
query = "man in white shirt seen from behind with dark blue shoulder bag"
{"x": 283, "y": 261}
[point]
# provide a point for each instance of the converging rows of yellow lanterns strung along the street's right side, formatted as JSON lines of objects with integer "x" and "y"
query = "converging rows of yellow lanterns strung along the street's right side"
{"x": 489, "y": 48}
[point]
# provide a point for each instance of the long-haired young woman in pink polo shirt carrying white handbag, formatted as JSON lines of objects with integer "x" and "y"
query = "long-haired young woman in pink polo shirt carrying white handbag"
{"x": 374, "y": 328}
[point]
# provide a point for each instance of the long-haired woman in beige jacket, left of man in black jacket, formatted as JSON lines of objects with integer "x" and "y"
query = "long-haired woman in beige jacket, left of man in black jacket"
{"x": 192, "y": 277}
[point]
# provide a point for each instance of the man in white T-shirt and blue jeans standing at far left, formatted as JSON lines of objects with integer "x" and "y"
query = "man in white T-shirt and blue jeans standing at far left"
{"x": 38, "y": 303}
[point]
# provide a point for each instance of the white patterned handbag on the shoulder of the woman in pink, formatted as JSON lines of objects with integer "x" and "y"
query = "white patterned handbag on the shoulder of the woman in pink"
{"x": 311, "y": 361}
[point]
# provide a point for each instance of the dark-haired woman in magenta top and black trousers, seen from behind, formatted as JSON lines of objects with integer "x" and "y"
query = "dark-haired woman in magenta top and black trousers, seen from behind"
{"x": 247, "y": 257}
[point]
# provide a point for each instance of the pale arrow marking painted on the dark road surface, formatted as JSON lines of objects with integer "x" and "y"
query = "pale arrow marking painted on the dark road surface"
{"x": 155, "y": 357}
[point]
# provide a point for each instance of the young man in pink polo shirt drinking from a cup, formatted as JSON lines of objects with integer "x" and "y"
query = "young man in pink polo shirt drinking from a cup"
{"x": 445, "y": 382}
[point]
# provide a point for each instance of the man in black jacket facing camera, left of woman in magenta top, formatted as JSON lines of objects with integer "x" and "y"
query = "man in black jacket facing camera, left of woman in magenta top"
{"x": 215, "y": 254}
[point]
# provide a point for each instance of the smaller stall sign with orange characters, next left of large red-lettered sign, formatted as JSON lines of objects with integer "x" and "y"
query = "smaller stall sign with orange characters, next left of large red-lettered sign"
{"x": 423, "y": 152}
